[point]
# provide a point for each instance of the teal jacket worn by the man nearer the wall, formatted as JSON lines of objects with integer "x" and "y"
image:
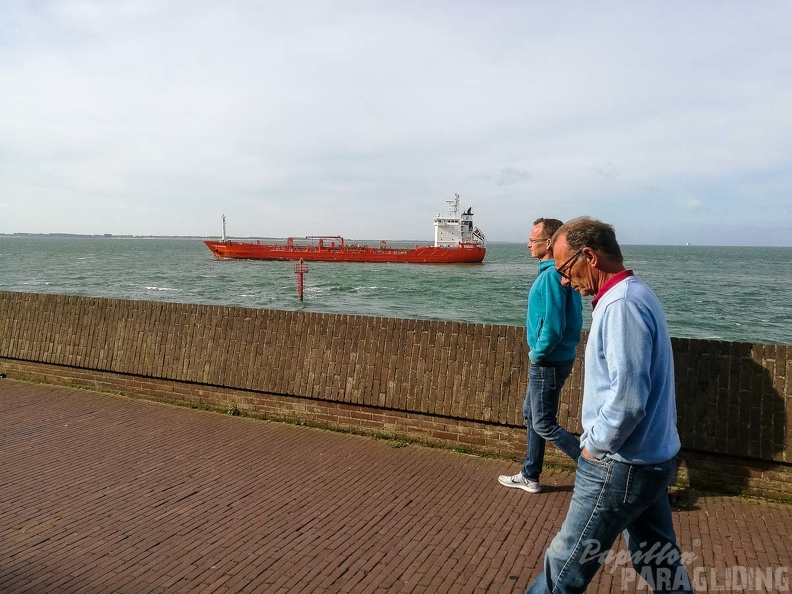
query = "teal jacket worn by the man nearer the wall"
{"x": 555, "y": 317}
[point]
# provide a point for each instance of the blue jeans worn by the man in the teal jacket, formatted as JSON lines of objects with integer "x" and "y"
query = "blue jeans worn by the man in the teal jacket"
{"x": 540, "y": 410}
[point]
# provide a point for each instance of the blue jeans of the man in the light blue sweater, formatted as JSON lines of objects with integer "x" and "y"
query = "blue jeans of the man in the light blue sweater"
{"x": 611, "y": 497}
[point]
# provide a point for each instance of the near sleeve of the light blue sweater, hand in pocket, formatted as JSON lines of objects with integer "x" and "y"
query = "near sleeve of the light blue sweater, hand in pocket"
{"x": 627, "y": 343}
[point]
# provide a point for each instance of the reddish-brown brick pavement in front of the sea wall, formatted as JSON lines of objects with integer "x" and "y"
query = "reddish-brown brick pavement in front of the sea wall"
{"x": 100, "y": 493}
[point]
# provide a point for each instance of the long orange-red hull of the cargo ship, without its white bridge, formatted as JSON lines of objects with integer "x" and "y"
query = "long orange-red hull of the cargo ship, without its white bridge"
{"x": 466, "y": 253}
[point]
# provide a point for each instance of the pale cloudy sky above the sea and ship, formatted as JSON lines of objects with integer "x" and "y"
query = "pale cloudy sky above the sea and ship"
{"x": 671, "y": 120}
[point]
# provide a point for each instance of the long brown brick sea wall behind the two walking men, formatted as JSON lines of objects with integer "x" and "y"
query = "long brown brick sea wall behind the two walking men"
{"x": 448, "y": 383}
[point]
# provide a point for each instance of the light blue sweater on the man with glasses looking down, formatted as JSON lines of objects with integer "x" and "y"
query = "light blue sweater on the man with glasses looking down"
{"x": 629, "y": 408}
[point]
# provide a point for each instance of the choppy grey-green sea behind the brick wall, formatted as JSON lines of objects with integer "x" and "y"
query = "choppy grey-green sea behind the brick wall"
{"x": 735, "y": 294}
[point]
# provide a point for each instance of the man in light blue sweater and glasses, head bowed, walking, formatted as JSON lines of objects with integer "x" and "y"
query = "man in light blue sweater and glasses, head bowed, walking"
{"x": 629, "y": 438}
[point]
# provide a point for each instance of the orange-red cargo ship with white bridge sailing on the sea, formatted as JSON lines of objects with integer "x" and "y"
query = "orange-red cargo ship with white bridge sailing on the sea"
{"x": 457, "y": 241}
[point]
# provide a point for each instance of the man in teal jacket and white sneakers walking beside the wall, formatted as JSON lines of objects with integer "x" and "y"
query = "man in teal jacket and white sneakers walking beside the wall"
{"x": 553, "y": 326}
